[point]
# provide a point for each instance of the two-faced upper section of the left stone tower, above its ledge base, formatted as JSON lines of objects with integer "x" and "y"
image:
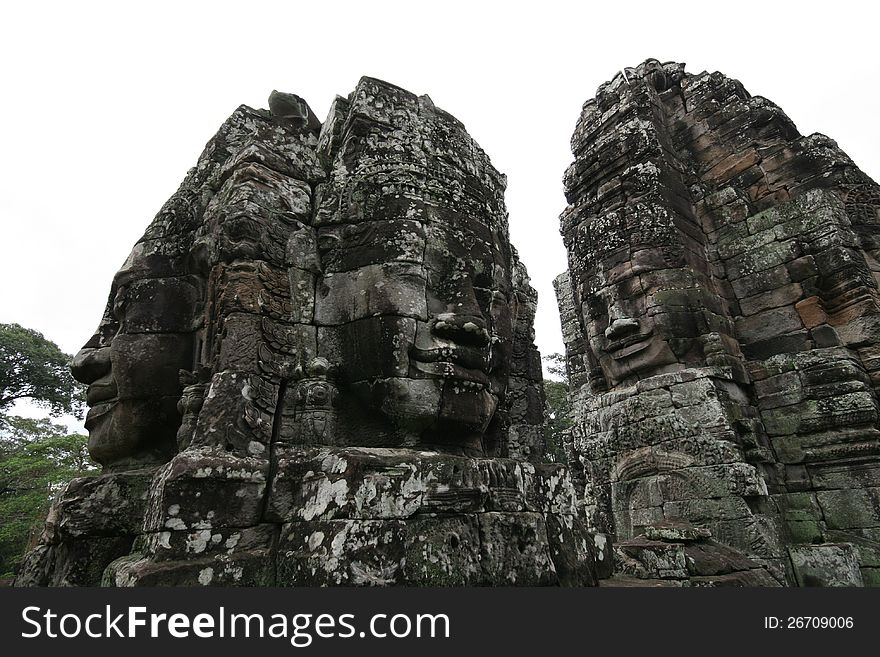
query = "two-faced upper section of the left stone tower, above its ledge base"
{"x": 397, "y": 271}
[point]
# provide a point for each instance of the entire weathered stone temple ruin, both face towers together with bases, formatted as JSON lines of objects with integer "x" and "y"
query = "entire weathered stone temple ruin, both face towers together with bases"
{"x": 317, "y": 365}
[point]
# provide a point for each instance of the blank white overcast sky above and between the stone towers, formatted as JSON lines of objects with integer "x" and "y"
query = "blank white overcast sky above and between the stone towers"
{"x": 106, "y": 105}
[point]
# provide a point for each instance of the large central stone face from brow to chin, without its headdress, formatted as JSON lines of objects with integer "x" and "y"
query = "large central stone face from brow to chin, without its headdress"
{"x": 421, "y": 319}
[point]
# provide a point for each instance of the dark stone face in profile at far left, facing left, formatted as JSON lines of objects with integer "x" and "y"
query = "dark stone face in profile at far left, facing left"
{"x": 132, "y": 362}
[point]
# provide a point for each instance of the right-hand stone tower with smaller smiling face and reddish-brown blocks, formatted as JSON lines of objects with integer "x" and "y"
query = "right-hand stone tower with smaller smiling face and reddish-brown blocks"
{"x": 720, "y": 315}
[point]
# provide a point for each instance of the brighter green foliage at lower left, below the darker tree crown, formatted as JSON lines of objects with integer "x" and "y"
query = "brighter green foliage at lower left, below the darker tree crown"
{"x": 37, "y": 457}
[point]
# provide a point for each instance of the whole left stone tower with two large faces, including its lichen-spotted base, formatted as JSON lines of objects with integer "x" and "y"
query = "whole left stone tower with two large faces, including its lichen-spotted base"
{"x": 317, "y": 367}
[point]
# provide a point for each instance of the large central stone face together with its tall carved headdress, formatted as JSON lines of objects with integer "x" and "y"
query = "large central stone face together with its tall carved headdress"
{"x": 414, "y": 304}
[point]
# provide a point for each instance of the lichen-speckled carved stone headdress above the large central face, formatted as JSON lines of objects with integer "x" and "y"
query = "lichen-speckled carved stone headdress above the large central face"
{"x": 394, "y": 145}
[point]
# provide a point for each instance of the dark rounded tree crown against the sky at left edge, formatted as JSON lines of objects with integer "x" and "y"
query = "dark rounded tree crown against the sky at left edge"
{"x": 34, "y": 368}
